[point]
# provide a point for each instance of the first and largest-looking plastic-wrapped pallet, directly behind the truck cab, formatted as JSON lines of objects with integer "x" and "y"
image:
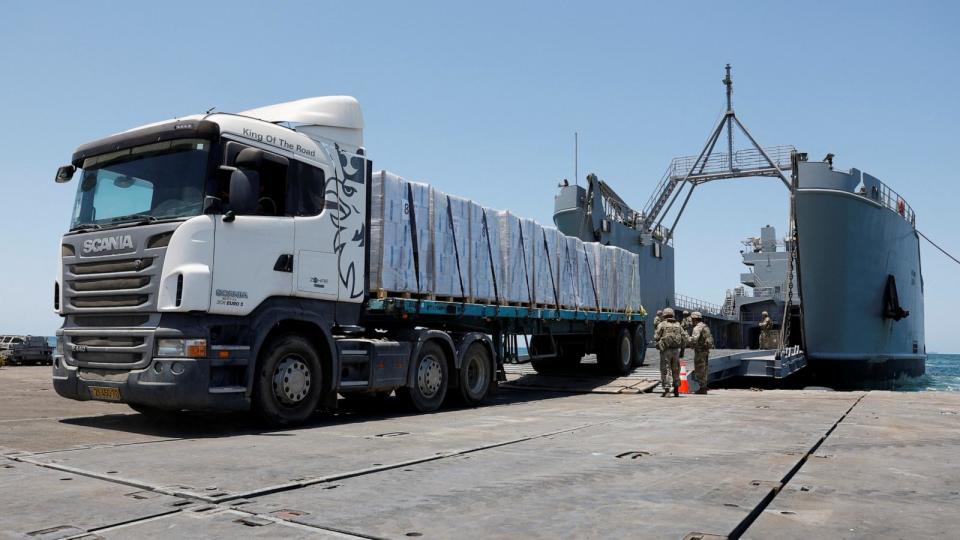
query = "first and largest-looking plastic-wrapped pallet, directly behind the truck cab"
{"x": 392, "y": 265}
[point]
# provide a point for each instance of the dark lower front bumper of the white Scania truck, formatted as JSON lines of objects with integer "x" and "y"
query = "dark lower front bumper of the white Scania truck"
{"x": 166, "y": 383}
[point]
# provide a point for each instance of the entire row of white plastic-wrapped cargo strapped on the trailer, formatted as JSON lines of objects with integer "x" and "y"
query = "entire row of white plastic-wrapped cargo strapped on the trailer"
{"x": 499, "y": 256}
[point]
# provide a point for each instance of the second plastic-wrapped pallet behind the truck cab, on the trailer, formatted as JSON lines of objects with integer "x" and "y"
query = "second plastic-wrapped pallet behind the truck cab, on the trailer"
{"x": 451, "y": 245}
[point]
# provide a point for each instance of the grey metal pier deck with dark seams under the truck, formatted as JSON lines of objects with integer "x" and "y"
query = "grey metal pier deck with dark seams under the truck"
{"x": 537, "y": 464}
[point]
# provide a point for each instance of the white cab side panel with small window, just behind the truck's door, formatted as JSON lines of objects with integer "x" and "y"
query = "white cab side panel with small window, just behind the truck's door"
{"x": 315, "y": 262}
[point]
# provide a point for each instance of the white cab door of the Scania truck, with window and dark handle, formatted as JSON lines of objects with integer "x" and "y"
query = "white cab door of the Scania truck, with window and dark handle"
{"x": 252, "y": 252}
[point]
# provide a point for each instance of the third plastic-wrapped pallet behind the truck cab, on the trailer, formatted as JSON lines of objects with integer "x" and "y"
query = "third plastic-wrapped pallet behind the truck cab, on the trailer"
{"x": 485, "y": 267}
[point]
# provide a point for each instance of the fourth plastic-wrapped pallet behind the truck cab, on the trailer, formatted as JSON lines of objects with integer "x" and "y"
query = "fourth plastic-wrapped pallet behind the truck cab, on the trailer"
{"x": 516, "y": 257}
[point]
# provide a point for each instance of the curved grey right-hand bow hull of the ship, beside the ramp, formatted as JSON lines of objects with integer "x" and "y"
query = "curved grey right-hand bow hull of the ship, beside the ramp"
{"x": 849, "y": 246}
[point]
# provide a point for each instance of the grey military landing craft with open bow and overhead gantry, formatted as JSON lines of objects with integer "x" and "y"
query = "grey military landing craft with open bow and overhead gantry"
{"x": 848, "y": 290}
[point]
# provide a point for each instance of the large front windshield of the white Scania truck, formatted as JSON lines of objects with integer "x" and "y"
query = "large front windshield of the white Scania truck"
{"x": 145, "y": 183}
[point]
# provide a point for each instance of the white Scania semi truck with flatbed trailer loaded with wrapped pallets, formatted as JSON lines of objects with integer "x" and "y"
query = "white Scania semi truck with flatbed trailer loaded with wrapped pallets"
{"x": 224, "y": 262}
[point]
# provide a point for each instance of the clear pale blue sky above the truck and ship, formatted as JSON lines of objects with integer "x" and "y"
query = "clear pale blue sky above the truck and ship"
{"x": 482, "y": 100}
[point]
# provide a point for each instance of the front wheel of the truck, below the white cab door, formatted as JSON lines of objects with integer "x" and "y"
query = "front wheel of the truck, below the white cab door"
{"x": 289, "y": 383}
